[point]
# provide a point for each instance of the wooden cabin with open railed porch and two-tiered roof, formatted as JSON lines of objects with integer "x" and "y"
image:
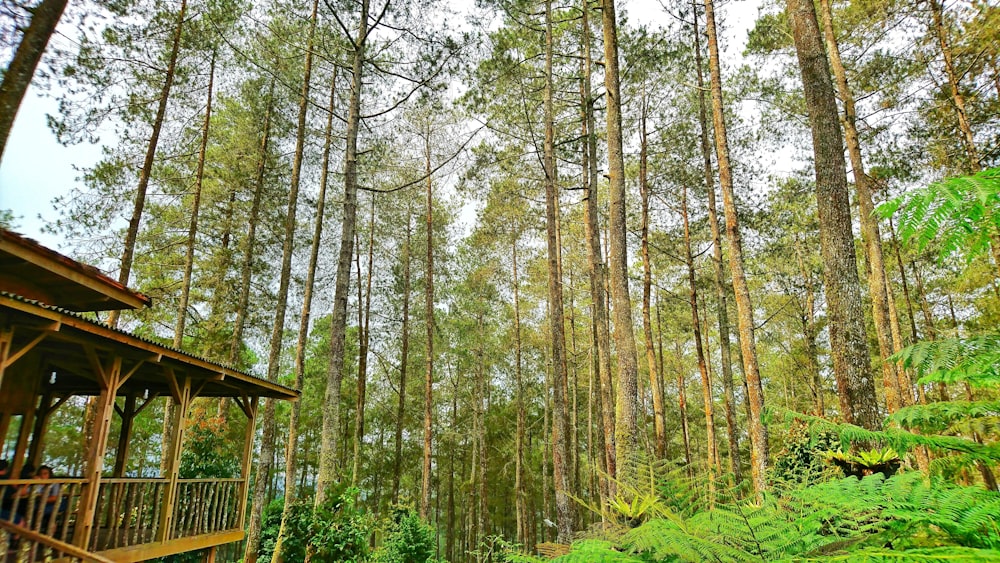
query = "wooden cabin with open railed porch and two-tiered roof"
{"x": 52, "y": 348}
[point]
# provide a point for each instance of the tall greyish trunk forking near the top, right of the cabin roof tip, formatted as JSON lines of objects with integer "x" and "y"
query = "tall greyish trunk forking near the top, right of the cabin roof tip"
{"x": 338, "y": 324}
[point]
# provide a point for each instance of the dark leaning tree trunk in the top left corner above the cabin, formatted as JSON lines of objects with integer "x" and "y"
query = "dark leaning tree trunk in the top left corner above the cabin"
{"x": 17, "y": 77}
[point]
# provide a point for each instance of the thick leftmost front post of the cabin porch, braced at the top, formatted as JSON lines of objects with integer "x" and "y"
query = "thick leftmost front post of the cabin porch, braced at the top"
{"x": 110, "y": 379}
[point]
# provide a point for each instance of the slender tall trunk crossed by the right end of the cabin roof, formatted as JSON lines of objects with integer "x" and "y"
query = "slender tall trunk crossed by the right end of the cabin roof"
{"x": 268, "y": 434}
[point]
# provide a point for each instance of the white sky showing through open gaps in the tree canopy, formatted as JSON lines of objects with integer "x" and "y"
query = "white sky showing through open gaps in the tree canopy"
{"x": 36, "y": 169}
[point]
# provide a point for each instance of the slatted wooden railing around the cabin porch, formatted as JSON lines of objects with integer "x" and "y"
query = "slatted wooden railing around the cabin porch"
{"x": 128, "y": 511}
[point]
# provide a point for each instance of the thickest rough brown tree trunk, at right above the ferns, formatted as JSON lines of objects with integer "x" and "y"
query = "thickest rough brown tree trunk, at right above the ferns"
{"x": 848, "y": 344}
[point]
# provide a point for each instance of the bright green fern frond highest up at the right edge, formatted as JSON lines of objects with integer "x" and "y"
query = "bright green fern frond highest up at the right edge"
{"x": 959, "y": 215}
